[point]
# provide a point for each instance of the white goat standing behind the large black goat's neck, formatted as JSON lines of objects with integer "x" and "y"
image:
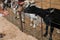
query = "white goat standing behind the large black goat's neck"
{"x": 33, "y": 17}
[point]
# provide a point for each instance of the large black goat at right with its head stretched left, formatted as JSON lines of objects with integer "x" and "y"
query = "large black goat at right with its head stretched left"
{"x": 50, "y": 17}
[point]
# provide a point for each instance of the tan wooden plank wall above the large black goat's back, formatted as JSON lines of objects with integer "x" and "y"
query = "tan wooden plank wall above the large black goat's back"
{"x": 46, "y": 3}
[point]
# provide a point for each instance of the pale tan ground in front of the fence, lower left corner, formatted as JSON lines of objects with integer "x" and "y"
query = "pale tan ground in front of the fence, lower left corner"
{"x": 12, "y": 32}
